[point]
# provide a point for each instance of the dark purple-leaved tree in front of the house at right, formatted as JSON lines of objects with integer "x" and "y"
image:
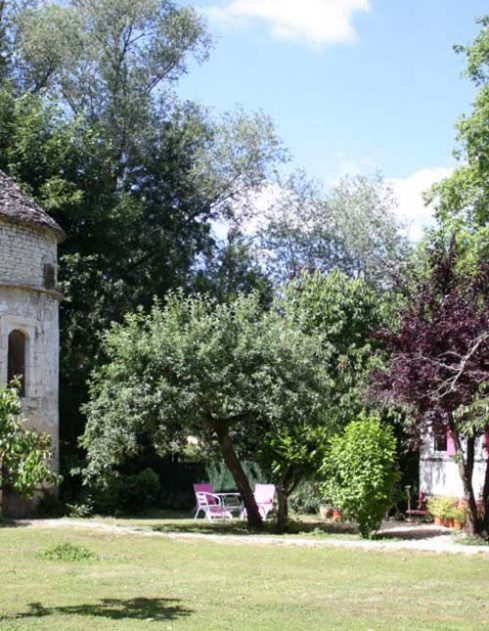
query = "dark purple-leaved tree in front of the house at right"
{"x": 439, "y": 367}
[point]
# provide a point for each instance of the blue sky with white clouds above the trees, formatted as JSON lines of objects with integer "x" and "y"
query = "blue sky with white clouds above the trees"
{"x": 352, "y": 85}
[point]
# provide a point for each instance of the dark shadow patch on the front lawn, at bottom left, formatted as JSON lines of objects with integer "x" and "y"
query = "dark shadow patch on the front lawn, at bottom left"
{"x": 150, "y": 609}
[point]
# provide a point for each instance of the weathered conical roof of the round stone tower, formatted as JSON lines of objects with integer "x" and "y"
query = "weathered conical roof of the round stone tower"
{"x": 18, "y": 207}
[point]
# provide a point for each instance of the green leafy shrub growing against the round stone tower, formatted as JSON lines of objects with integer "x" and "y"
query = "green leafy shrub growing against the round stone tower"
{"x": 24, "y": 454}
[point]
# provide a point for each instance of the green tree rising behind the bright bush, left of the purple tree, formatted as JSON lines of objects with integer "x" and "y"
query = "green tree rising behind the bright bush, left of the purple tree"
{"x": 342, "y": 313}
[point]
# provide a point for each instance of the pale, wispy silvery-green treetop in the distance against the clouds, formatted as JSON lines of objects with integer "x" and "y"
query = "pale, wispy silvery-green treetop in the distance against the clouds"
{"x": 354, "y": 229}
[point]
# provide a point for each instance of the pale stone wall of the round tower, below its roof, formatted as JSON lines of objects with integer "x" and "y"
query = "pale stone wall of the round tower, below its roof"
{"x": 27, "y": 305}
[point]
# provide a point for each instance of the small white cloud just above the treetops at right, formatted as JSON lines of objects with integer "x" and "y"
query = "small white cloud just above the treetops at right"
{"x": 409, "y": 191}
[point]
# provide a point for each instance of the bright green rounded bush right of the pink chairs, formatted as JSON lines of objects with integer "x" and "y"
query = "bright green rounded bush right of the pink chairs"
{"x": 362, "y": 472}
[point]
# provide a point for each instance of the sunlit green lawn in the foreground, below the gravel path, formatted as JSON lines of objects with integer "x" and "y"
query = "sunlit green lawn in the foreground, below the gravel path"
{"x": 157, "y": 583}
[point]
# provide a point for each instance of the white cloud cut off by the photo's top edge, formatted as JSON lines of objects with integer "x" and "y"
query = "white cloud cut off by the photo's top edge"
{"x": 315, "y": 22}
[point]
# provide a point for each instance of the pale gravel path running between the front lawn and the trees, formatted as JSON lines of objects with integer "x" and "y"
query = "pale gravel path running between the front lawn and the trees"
{"x": 423, "y": 538}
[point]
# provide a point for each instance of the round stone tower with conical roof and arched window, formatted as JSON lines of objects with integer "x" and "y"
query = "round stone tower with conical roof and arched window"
{"x": 29, "y": 302}
